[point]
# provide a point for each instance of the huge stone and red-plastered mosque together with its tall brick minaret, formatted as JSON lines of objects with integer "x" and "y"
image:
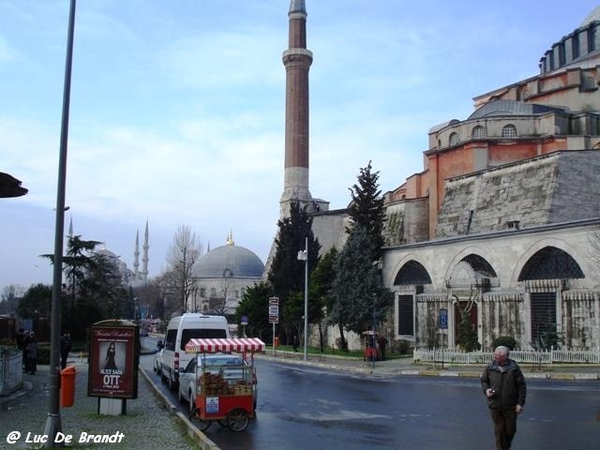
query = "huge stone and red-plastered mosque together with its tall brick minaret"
{"x": 501, "y": 224}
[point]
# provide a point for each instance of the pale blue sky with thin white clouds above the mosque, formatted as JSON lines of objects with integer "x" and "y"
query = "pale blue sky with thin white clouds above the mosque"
{"x": 177, "y": 112}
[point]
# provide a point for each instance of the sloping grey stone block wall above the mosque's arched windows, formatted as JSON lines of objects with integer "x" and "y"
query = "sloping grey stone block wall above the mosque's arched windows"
{"x": 544, "y": 190}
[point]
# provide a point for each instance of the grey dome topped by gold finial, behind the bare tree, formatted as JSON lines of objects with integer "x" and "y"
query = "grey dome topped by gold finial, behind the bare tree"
{"x": 229, "y": 261}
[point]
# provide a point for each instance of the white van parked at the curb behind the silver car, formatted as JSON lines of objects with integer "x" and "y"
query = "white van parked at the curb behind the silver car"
{"x": 179, "y": 331}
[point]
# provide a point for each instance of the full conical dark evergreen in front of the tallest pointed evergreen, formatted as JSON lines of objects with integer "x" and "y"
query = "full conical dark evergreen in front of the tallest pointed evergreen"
{"x": 359, "y": 297}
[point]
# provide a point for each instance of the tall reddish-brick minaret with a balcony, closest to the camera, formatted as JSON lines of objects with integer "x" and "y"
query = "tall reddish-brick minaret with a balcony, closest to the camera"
{"x": 297, "y": 60}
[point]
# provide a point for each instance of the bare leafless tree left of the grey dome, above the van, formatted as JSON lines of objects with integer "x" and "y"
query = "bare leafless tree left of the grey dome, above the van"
{"x": 183, "y": 254}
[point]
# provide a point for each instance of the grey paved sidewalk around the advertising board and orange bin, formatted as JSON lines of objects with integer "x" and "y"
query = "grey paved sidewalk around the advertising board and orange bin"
{"x": 150, "y": 422}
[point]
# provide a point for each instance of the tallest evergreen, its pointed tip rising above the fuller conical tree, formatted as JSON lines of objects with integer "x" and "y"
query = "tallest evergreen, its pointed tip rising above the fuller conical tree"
{"x": 367, "y": 209}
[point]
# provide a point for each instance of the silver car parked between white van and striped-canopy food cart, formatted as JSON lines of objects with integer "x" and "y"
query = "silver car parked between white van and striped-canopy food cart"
{"x": 232, "y": 367}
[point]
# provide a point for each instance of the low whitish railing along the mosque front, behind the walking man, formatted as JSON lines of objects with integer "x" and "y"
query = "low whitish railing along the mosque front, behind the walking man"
{"x": 457, "y": 356}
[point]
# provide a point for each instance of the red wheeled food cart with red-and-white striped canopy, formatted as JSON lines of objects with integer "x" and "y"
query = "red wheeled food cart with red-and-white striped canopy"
{"x": 224, "y": 393}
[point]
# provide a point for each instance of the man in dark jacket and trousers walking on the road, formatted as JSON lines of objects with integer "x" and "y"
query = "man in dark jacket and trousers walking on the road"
{"x": 504, "y": 386}
